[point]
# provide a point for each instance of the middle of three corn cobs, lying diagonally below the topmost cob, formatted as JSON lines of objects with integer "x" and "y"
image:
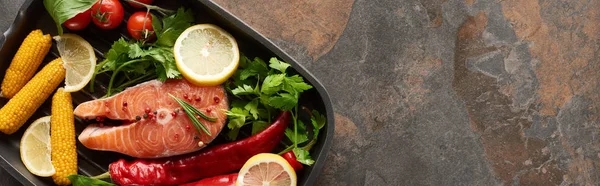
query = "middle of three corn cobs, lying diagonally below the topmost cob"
{"x": 18, "y": 109}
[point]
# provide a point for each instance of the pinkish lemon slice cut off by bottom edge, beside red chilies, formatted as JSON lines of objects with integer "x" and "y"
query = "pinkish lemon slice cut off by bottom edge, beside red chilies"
{"x": 266, "y": 169}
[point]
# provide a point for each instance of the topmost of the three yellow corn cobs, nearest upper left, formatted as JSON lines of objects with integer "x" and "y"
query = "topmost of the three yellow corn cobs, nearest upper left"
{"x": 30, "y": 55}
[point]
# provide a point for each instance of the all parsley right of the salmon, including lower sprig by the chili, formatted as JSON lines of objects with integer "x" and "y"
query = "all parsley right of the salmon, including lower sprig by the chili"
{"x": 262, "y": 90}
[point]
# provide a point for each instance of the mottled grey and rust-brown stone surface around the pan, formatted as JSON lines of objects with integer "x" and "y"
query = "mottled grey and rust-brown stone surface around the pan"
{"x": 446, "y": 92}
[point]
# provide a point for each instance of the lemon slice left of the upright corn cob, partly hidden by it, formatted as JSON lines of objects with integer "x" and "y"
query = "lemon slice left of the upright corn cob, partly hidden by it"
{"x": 35, "y": 148}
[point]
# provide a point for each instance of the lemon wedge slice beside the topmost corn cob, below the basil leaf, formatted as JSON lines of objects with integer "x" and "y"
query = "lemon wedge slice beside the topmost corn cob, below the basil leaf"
{"x": 79, "y": 60}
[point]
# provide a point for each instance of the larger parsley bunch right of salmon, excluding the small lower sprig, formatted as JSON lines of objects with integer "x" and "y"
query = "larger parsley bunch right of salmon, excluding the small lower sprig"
{"x": 265, "y": 89}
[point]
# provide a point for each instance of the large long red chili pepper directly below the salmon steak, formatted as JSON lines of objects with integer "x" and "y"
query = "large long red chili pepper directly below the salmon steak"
{"x": 212, "y": 161}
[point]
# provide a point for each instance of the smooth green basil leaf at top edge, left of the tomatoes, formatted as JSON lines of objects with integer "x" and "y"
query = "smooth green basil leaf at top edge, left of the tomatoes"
{"x": 63, "y": 10}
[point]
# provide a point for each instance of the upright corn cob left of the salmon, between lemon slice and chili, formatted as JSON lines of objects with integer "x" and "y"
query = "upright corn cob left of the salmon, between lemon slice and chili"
{"x": 62, "y": 137}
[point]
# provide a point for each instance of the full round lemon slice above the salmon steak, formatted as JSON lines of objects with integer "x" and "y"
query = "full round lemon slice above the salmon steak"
{"x": 206, "y": 55}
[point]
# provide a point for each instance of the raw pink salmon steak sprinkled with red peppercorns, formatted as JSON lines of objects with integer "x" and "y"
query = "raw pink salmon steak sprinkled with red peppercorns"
{"x": 163, "y": 128}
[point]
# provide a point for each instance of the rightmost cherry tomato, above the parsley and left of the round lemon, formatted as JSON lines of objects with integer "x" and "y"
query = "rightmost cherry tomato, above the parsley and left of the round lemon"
{"x": 139, "y": 26}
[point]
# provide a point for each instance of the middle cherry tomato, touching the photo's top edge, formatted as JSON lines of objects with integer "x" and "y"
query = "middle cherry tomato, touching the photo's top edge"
{"x": 107, "y": 14}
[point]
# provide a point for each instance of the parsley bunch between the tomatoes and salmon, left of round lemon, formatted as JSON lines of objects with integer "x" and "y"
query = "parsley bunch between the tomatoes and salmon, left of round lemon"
{"x": 133, "y": 62}
